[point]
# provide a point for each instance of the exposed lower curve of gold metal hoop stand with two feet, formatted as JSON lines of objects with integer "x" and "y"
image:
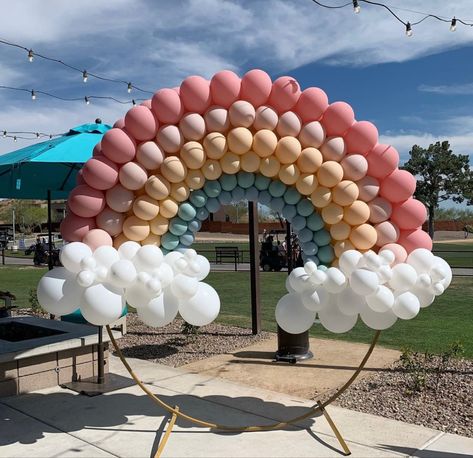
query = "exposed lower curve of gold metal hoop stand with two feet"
{"x": 318, "y": 408}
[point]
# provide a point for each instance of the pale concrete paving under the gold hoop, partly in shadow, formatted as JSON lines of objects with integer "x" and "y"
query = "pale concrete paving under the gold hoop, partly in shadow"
{"x": 126, "y": 423}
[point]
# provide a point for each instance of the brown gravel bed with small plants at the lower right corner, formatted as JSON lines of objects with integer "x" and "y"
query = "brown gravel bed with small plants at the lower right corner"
{"x": 447, "y": 407}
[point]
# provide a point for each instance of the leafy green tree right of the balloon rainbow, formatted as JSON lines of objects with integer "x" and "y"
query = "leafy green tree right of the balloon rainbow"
{"x": 441, "y": 175}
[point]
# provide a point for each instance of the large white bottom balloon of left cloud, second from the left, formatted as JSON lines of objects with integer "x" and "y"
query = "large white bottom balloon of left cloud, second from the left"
{"x": 102, "y": 304}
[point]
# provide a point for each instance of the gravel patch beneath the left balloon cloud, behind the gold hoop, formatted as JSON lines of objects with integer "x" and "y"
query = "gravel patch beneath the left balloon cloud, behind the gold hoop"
{"x": 168, "y": 345}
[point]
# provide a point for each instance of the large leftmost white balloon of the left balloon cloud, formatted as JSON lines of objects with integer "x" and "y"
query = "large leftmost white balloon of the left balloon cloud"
{"x": 58, "y": 292}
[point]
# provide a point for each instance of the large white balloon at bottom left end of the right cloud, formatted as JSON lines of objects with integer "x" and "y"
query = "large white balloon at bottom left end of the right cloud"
{"x": 292, "y": 315}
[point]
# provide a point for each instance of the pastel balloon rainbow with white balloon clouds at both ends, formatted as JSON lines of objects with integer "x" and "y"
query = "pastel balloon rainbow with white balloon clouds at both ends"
{"x": 179, "y": 156}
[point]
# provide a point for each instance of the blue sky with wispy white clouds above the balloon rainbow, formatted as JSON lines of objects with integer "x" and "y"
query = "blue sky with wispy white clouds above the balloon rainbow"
{"x": 416, "y": 90}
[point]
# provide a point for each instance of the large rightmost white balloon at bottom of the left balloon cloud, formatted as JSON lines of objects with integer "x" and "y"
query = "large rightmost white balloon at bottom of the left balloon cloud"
{"x": 202, "y": 308}
